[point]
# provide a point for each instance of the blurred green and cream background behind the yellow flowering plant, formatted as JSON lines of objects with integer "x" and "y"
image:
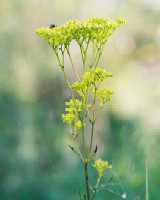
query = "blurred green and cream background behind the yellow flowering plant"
{"x": 35, "y": 161}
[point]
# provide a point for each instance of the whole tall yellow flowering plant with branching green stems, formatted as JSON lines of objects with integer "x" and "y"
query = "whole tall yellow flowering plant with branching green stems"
{"x": 82, "y": 110}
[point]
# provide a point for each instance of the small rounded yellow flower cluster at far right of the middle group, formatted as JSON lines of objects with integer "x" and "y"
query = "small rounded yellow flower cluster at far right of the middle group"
{"x": 104, "y": 95}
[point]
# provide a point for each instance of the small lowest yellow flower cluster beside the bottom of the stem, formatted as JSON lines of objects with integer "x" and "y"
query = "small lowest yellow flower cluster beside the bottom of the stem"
{"x": 101, "y": 166}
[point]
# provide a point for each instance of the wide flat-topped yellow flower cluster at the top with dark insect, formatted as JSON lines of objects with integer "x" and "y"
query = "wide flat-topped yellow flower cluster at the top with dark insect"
{"x": 95, "y": 29}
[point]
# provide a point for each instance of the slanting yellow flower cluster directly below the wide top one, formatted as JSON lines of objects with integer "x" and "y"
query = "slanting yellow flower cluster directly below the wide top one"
{"x": 90, "y": 79}
